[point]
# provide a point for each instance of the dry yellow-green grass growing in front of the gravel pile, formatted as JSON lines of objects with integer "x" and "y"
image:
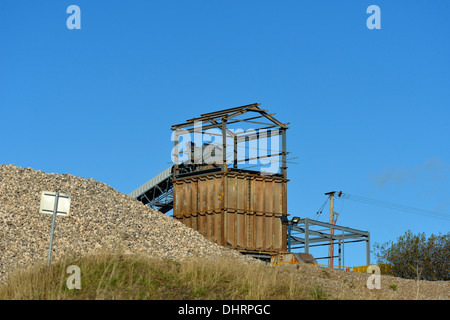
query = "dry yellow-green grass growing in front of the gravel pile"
{"x": 136, "y": 277}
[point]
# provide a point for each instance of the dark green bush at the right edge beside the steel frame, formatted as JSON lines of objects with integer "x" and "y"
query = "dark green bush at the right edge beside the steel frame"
{"x": 414, "y": 256}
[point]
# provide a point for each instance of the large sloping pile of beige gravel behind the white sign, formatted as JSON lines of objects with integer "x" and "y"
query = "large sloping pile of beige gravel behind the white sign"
{"x": 101, "y": 218}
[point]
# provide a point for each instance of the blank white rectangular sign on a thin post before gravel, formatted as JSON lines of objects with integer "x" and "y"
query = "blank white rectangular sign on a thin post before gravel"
{"x": 57, "y": 204}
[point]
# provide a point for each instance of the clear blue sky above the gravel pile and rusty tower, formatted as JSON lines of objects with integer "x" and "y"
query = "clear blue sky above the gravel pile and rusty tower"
{"x": 368, "y": 109}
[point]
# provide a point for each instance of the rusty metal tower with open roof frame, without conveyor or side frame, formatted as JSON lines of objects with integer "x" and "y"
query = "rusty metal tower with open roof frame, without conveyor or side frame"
{"x": 224, "y": 201}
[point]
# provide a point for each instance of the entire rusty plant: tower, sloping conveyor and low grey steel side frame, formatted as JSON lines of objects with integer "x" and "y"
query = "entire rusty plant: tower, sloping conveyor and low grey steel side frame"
{"x": 230, "y": 185}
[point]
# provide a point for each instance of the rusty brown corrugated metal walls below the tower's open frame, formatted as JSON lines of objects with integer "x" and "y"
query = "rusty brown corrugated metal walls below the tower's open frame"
{"x": 236, "y": 210}
